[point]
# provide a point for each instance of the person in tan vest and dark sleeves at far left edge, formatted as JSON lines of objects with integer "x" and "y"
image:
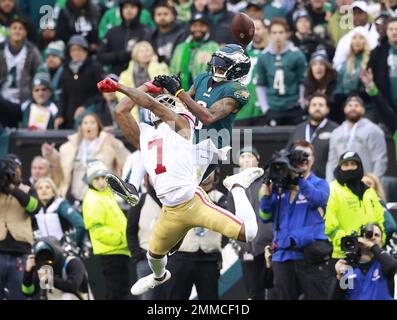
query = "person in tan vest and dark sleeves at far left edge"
{"x": 18, "y": 203}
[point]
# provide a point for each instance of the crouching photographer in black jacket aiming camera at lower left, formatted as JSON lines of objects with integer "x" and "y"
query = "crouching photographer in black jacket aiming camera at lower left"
{"x": 52, "y": 274}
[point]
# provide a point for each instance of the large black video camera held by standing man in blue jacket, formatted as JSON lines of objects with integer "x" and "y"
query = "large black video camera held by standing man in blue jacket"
{"x": 283, "y": 167}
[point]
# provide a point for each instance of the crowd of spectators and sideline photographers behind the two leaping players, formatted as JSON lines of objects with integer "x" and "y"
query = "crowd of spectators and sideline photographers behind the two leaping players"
{"x": 328, "y": 68}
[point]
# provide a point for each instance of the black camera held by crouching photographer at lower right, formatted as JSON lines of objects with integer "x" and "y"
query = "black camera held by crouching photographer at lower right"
{"x": 351, "y": 246}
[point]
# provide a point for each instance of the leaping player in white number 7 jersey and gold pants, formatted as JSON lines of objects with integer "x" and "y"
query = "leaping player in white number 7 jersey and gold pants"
{"x": 174, "y": 164}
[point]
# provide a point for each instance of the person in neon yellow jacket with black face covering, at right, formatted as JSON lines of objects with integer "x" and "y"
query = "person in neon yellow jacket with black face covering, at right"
{"x": 351, "y": 203}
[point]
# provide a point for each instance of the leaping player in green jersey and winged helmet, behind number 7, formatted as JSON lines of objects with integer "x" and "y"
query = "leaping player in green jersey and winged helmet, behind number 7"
{"x": 218, "y": 96}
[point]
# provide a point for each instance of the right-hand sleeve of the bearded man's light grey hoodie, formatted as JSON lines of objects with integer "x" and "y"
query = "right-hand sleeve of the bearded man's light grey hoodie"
{"x": 378, "y": 153}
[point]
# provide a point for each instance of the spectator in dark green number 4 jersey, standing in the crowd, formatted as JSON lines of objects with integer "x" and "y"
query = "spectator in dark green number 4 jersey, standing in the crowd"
{"x": 281, "y": 72}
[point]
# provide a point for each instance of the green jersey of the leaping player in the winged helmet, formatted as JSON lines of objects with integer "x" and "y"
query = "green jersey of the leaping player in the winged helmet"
{"x": 207, "y": 92}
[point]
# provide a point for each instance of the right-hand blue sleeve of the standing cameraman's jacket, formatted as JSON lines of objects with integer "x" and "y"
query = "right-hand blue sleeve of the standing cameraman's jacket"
{"x": 317, "y": 195}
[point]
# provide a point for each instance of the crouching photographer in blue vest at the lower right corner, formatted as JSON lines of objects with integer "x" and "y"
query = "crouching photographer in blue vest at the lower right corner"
{"x": 370, "y": 274}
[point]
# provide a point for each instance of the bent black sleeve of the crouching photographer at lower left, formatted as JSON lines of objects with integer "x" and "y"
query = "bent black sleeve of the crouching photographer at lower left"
{"x": 75, "y": 275}
